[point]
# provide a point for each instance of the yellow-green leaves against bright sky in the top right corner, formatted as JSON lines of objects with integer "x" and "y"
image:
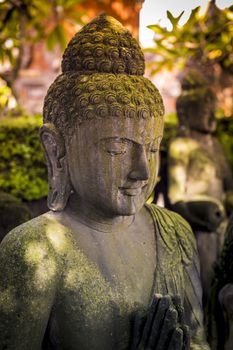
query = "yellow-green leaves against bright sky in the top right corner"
{"x": 204, "y": 39}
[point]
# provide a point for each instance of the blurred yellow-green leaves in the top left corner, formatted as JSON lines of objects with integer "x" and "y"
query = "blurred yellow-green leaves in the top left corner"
{"x": 25, "y": 21}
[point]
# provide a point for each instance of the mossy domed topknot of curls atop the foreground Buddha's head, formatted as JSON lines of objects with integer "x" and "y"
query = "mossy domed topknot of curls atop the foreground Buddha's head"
{"x": 103, "y": 46}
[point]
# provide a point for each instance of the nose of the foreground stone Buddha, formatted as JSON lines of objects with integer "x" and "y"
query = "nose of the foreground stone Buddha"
{"x": 140, "y": 169}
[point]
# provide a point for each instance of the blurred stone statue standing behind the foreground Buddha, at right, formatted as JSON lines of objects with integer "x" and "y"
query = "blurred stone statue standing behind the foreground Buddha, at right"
{"x": 199, "y": 174}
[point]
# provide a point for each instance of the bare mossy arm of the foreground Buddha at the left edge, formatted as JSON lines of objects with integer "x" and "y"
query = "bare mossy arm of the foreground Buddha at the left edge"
{"x": 27, "y": 290}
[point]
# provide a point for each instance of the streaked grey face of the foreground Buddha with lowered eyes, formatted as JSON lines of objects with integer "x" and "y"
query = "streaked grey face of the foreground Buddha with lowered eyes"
{"x": 113, "y": 163}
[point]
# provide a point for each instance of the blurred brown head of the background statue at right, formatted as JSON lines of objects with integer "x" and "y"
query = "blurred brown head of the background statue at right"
{"x": 196, "y": 105}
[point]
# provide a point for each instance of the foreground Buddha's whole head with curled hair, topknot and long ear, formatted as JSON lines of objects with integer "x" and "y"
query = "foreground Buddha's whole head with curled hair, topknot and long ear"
{"x": 103, "y": 123}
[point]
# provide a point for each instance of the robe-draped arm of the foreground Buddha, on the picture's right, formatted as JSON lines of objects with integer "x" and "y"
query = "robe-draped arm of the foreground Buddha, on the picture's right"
{"x": 190, "y": 289}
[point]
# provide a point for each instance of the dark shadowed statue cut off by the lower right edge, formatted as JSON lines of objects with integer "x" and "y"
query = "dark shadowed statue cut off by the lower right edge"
{"x": 220, "y": 306}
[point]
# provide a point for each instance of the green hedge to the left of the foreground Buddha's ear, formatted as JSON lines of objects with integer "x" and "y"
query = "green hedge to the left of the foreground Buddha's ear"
{"x": 22, "y": 164}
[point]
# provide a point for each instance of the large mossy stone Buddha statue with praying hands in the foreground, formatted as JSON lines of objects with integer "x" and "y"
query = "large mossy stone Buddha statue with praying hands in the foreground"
{"x": 101, "y": 270}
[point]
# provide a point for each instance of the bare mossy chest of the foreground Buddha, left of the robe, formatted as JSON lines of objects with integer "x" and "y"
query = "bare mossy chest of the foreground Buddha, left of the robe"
{"x": 101, "y": 291}
